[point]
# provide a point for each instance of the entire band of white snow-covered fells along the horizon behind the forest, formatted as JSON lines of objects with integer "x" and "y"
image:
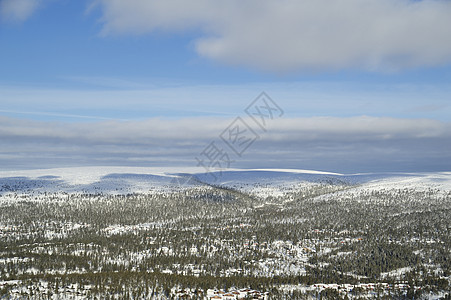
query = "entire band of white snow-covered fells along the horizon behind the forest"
{"x": 261, "y": 182}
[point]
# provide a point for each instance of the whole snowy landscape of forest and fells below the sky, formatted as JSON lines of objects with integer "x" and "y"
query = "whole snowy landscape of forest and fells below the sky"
{"x": 277, "y": 234}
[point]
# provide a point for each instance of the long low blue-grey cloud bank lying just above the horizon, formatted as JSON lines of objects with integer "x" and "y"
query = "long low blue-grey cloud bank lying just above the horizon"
{"x": 358, "y": 144}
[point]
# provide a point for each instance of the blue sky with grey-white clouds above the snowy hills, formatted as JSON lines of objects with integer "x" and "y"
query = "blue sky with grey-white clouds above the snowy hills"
{"x": 354, "y": 85}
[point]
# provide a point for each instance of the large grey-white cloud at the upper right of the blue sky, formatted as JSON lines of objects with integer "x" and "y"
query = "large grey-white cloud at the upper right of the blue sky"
{"x": 290, "y": 35}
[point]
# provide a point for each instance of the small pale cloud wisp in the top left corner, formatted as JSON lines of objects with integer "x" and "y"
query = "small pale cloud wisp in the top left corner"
{"x": 17, "y": 10}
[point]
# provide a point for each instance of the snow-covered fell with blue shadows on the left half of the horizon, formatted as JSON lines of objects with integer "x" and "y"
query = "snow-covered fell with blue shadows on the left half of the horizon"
{"x": 118, "y": 180}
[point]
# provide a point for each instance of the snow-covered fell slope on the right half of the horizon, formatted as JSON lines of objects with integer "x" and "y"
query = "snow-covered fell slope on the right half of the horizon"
{"x": 264, "y": 183}
